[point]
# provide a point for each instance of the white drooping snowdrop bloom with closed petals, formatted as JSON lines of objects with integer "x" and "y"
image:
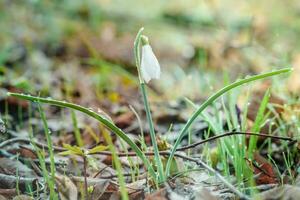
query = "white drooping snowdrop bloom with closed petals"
{"x": 150, "y": 67}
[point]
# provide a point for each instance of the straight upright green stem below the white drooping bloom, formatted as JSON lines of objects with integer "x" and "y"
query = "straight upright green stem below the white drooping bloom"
{"x": 158, "y": 161}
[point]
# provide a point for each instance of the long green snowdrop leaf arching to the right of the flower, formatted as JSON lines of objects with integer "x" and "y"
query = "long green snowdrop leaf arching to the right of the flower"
{"x": 210, "y": 100}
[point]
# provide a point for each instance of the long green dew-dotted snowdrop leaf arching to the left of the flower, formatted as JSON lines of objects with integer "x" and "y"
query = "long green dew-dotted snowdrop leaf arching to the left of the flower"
{"x": 107, "y": 123}
